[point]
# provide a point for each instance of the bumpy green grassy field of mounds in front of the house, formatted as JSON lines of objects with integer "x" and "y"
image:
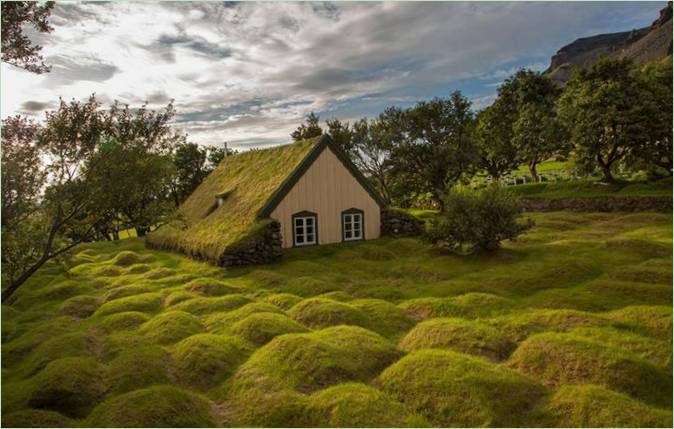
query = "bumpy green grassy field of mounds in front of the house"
{"x": 569, "y": 326}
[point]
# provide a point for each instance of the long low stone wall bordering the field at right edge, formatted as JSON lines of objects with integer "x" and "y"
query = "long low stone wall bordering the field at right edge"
{"x": 598, "y": 204}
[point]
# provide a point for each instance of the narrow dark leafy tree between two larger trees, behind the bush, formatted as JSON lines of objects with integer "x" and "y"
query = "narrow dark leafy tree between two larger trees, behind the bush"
{"x": 494, "y": 138}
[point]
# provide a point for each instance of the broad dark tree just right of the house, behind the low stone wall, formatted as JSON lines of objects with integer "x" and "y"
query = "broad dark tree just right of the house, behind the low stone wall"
{"x": 435, "y": 146}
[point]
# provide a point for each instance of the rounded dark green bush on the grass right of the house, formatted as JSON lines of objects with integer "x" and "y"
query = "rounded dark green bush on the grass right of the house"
{"x": 477, "y": 221}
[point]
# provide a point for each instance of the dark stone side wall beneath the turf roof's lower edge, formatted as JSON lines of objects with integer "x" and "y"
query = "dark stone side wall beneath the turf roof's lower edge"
{"x": 264, "y": 248}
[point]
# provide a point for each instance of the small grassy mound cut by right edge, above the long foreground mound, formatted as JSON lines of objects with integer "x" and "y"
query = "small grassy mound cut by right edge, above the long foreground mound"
{"x": 651, "y": 320}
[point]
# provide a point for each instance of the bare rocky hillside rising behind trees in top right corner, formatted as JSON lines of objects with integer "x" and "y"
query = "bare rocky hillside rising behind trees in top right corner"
{"x": 640, "y": 45}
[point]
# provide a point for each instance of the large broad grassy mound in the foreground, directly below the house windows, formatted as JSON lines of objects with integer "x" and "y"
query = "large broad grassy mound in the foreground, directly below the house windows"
{"x": 308, "y": 362}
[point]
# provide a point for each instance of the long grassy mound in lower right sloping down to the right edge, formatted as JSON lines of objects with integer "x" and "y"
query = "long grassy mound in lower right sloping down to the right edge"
{"x": 557, "y": 359}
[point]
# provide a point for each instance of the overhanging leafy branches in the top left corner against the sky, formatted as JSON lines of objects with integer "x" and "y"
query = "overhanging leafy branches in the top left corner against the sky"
{"x": 17, "y": 49}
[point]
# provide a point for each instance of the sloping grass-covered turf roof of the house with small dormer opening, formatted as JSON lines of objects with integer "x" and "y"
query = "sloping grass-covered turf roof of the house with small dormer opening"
{"x": 246, "y": 181}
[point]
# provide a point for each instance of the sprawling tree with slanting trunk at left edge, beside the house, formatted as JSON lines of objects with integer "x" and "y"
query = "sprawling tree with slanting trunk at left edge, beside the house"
{"x": 78, "y": 185}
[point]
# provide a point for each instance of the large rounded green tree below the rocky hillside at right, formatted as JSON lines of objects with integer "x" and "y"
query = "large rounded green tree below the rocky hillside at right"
{"x": 604, "y": 110}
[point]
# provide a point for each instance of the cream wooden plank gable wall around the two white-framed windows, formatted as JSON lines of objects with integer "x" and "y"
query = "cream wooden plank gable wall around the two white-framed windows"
{"x": 327, "y": 188}
